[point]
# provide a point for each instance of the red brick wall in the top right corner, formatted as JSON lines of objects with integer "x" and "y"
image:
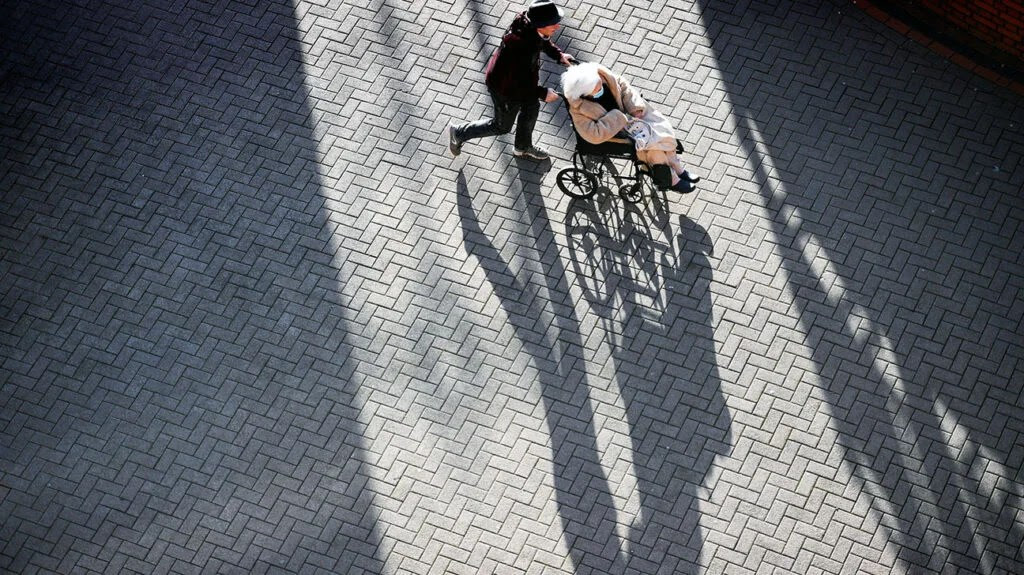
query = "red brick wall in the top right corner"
{"x": 997, "y": 24}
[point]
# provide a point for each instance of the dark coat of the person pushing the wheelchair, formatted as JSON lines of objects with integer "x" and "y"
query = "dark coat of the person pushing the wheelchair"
{"x": 514, "y": 72}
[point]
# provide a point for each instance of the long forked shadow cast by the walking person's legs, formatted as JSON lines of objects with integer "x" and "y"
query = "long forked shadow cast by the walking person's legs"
{"x": 536, "y": 301}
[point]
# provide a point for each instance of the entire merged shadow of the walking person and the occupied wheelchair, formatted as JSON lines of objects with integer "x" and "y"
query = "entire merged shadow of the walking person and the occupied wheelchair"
{"x": 658, "y": 319}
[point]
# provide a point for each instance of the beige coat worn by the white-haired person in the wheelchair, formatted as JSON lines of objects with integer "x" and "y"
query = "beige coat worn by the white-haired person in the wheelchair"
{"x": 598, "y": 125}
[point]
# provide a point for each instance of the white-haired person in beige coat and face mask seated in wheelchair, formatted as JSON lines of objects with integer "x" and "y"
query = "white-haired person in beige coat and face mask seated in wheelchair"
{"x": 606, "y": 109}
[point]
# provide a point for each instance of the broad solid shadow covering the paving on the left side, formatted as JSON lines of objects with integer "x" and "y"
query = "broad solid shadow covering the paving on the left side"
{"x": 179, "y": 394}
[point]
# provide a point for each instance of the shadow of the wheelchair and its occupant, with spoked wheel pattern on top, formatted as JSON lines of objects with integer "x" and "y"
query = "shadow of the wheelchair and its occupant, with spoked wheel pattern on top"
{"x": 652, "y": 288}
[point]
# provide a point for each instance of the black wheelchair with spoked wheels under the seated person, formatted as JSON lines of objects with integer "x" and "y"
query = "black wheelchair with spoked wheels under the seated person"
{"x": 590, "y": 163}
